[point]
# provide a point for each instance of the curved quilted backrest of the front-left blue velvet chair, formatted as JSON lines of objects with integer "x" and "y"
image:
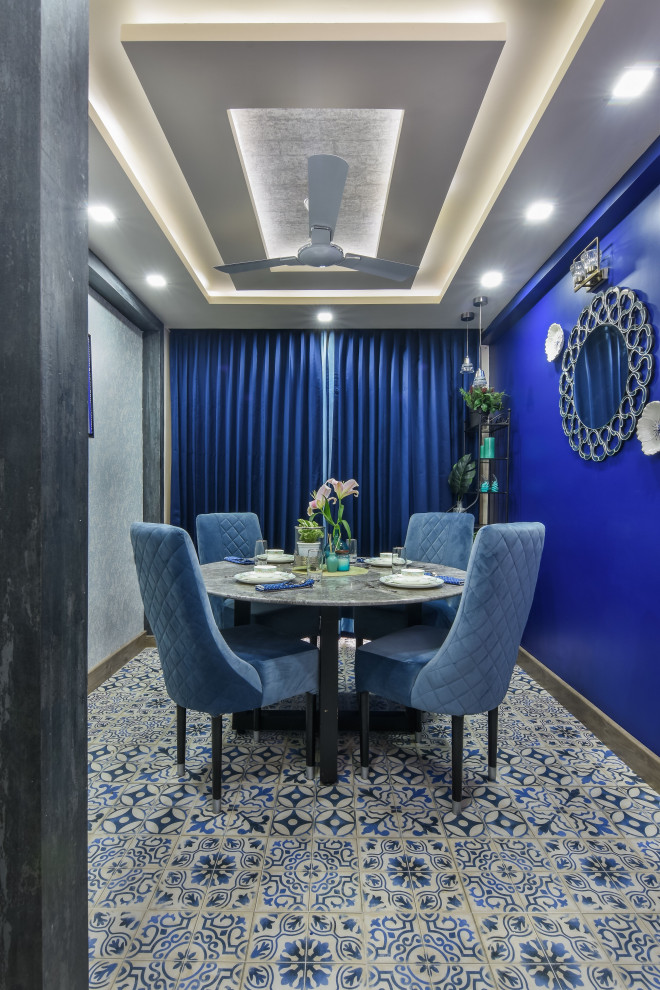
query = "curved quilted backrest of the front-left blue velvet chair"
{"x": 200, "y": 670}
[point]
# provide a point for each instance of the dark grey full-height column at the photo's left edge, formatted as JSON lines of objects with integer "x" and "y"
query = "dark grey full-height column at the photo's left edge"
{"x": 43, "y": 493}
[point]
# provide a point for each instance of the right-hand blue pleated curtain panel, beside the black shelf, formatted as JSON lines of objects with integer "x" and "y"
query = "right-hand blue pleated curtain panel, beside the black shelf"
{"x": 397, "y": 426}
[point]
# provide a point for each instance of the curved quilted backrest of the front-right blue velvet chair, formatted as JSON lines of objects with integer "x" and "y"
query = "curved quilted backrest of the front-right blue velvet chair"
{"x": 472, "y": 669}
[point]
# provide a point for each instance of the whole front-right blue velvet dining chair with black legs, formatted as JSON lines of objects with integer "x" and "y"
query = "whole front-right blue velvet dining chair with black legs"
{"x": 467, "y": 669}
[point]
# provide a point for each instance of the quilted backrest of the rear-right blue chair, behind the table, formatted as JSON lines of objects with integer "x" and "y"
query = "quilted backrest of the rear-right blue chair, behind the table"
{"x": 441, "y": 538}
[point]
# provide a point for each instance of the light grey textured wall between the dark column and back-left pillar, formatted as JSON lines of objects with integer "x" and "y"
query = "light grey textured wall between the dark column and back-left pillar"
{"x": 115, "y": 480}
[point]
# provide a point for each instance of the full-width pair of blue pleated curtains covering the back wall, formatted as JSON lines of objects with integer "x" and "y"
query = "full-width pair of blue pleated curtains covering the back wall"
{"x": 260, "y": 419}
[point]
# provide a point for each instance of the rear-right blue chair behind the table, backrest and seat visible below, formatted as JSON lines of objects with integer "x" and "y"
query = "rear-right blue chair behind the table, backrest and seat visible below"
{"x": 435, "y": 538}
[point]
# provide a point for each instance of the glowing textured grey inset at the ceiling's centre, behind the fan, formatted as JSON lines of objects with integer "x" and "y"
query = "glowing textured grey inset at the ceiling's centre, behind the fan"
{"x": 274, "y": 145}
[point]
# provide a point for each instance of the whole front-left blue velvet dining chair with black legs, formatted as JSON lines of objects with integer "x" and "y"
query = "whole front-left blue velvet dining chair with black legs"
{"x": 205, "y": 669}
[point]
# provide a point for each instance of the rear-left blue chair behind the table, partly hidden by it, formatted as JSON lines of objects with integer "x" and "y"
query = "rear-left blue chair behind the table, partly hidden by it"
{"x": 234, "y": 534}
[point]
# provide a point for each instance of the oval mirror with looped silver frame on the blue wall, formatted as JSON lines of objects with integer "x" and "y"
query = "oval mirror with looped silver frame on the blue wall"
{"x": 606, "y": 368}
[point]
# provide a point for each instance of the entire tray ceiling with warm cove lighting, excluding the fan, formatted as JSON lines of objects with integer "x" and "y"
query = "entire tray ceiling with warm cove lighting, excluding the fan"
{"x": 503, "y": 102}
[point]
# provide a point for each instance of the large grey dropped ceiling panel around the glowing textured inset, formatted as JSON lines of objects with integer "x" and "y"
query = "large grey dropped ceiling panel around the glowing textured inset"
{"x": 439, "y": 86}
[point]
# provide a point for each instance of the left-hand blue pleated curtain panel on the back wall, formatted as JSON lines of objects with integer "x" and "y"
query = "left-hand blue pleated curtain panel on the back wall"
{"x": 246, "y": 426}
